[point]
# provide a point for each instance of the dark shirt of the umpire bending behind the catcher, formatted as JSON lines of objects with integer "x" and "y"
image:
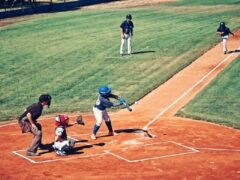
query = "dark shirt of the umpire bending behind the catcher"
{"x": 35, "y": 110}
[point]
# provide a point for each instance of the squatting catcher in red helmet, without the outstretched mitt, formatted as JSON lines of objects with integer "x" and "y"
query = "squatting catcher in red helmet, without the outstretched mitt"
{"x": 62, "y": 145}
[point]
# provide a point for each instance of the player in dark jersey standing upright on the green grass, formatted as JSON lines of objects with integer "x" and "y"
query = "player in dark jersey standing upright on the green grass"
{"x": 126, "y": 29}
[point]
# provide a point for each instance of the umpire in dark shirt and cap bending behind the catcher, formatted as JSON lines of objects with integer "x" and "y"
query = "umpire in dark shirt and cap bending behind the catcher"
{"x": 28, "y": 123}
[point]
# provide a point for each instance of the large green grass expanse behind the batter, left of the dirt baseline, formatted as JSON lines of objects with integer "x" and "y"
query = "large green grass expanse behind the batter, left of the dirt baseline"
{"x": 71, "y": 54}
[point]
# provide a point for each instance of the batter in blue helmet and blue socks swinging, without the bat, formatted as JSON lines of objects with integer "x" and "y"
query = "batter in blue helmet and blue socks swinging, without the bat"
{"x": 100, "y": 112}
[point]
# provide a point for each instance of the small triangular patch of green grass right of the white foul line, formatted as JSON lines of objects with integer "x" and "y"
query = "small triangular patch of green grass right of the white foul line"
{"x": 219, "y": 101}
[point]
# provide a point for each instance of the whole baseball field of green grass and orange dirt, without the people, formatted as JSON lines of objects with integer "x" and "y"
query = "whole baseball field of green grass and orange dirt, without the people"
{"x": 176, "y": 76}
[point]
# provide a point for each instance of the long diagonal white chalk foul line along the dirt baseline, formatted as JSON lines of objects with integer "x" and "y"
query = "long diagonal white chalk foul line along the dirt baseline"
{"x": 184, "y": 94}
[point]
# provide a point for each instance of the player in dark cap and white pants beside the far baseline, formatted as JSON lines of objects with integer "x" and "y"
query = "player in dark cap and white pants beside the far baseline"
{"x": 224, "y": 32}
